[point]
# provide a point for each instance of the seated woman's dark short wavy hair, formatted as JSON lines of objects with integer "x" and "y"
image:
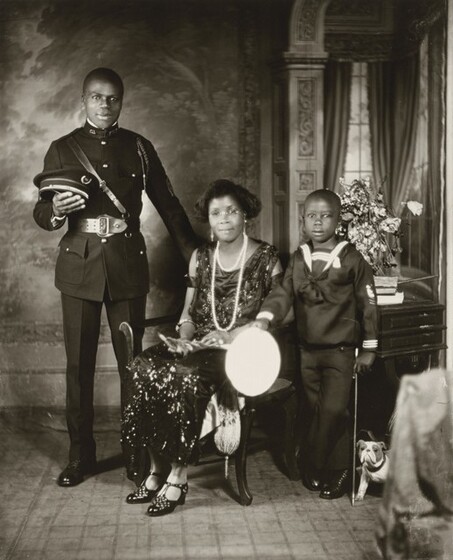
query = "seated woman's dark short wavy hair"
{"x": 248, "y": 202}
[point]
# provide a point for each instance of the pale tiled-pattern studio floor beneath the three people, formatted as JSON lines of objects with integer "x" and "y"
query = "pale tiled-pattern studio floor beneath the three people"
{"x": 40, "y": 521}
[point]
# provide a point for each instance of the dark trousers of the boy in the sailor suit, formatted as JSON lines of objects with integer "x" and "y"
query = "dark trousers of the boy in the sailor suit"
{"x": 326, "y": 378}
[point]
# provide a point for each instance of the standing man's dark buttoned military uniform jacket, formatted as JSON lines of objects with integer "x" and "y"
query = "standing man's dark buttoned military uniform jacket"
{"x": 86, "y": 263}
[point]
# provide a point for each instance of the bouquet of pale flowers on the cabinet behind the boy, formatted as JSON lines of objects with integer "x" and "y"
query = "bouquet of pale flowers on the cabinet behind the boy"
{"x": 368, "y": 223}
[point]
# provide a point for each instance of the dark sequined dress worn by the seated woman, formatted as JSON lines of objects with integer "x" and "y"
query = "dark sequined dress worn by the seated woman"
{"x": 167, "y": 396}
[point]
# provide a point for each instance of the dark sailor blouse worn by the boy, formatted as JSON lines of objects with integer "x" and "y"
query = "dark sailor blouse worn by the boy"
{"x": 333, "y": 308}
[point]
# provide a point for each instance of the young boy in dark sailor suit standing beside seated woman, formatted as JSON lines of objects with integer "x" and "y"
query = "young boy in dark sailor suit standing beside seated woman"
{"x": 331, "y": 287}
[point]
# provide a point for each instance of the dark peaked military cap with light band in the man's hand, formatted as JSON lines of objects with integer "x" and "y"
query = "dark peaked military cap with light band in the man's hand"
{"x": 77, "y": 181}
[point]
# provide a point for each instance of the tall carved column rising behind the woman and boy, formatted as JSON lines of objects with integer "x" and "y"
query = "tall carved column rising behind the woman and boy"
{"x": 298, "y": 99}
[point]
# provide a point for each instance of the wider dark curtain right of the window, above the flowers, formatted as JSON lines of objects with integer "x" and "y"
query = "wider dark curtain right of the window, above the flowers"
{"x": 393, "y": 107}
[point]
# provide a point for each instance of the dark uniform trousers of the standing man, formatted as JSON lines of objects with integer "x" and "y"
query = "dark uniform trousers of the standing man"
{"x": 81, "y": 325}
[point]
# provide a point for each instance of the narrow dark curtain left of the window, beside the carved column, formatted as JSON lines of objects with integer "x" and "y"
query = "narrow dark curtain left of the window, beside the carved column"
{"x": 337, "y": 88}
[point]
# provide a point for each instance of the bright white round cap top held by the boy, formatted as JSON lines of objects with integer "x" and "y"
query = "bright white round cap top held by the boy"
{"x": 252, "y": 361}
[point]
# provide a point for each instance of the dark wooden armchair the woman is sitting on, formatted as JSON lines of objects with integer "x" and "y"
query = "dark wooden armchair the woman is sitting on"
{"x": 282, "y": 395}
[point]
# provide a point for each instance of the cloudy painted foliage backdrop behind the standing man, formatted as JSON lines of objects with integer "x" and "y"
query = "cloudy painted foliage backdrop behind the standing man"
{"x": 190, "y": 70}
